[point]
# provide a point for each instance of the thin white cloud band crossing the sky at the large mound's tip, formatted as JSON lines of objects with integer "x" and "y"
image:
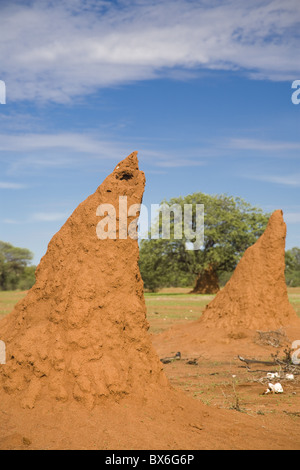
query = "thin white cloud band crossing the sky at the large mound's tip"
{"x": 42, "y": 151}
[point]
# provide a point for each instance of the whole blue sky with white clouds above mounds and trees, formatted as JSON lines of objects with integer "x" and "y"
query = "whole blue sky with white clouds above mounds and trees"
{"x": 201, "y": 89}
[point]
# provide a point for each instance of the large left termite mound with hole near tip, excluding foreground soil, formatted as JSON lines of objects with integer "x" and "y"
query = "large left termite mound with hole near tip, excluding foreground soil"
{"x": 81, "y": 332}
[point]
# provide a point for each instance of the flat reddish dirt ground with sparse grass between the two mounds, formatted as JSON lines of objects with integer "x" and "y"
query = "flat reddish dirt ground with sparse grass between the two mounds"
{"x": 216, "y": 376}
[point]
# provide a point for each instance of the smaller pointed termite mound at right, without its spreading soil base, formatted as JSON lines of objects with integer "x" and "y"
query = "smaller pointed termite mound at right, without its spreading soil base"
{"x": 256, "y": 295}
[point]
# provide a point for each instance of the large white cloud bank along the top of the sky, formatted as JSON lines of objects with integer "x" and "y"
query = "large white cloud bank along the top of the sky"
{"x": 52, "y": 50}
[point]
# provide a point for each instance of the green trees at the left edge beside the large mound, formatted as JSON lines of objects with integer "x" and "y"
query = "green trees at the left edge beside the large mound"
{"x": 13, "y": 263}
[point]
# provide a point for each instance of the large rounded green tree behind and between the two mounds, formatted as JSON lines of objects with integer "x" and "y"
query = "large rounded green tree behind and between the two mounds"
{"x": 231, "y": 226}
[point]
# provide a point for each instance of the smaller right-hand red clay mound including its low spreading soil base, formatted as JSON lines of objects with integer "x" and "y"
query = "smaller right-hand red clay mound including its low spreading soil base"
{"x": 254, "y": 299}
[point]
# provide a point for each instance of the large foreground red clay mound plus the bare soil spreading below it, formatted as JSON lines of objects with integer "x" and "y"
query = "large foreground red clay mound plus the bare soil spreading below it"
{"x": 81, "y": 372}
